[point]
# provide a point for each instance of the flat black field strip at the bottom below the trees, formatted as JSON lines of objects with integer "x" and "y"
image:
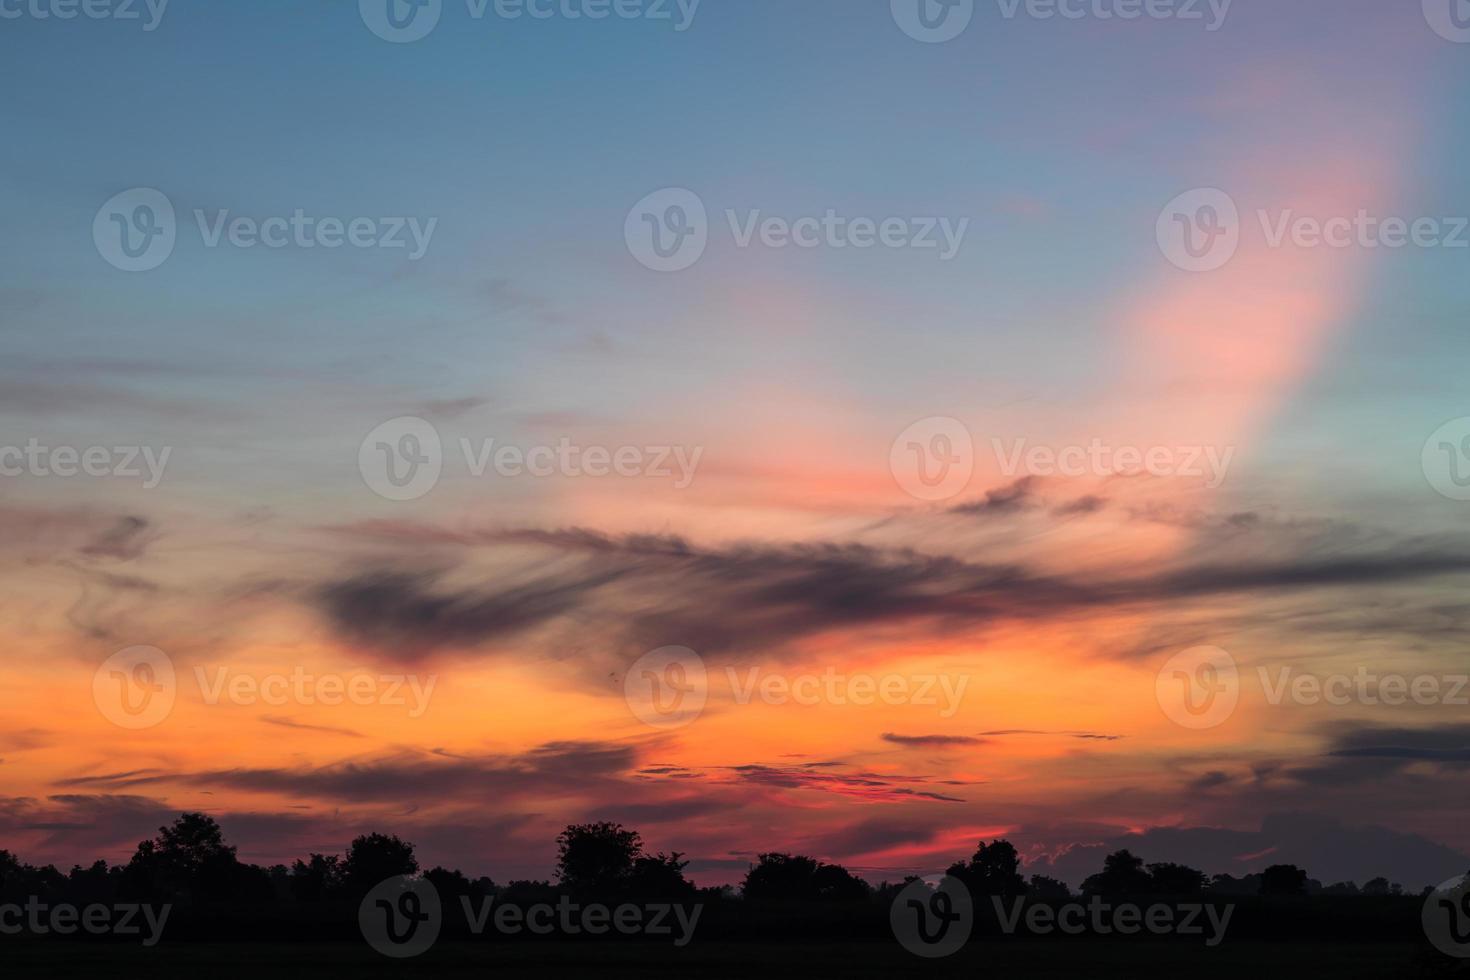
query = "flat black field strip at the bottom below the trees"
{"x": 1044, "y": 960}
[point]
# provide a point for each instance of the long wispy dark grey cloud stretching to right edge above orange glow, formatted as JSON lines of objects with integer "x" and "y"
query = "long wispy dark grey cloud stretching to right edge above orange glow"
{"x": 643, "y": 591}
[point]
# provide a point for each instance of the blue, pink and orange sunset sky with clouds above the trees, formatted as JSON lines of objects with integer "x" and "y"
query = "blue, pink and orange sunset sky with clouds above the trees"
{"x": 775, "y": 427}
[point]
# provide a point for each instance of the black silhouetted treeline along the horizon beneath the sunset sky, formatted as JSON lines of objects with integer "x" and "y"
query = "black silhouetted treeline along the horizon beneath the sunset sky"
{"x": 214, "y": 894}
